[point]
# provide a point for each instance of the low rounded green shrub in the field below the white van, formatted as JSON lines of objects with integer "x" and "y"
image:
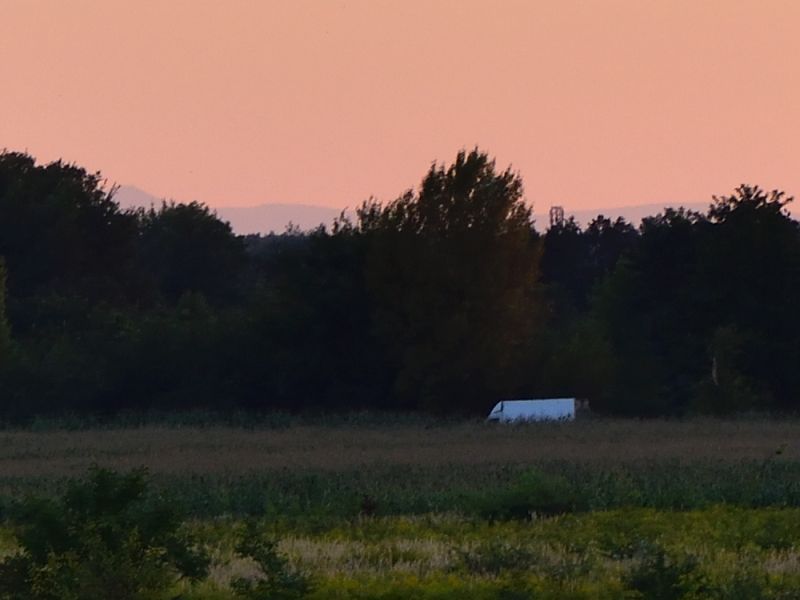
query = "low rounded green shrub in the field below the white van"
{"x": 533, "y": 493}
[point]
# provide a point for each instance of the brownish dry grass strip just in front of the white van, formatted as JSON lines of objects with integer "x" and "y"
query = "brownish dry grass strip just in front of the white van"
{"x": 227, "y": 450}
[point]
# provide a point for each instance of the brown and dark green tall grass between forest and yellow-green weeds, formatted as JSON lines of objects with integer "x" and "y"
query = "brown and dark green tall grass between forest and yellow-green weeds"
{"x": 356, "y": 467}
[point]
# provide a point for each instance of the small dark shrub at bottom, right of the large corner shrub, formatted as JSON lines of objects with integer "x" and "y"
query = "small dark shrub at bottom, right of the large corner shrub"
{"x": 277, "y": 580}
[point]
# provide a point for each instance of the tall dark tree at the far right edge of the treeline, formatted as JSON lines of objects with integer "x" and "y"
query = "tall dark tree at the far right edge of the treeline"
{"x": 750, "y": 264}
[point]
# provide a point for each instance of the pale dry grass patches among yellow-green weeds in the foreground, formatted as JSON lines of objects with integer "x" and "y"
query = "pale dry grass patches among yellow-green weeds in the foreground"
{"x": 425, "y": 554}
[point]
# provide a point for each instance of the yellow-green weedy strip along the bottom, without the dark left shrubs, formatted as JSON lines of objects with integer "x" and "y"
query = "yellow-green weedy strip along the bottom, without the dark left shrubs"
{"x": 718, "y": 552}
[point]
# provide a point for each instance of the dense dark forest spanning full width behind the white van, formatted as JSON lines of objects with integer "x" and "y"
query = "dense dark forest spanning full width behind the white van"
{"x": 443, "y": 300}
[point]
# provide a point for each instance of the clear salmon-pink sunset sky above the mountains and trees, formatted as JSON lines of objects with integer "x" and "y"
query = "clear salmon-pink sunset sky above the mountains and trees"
{"x": 235, "y": 102}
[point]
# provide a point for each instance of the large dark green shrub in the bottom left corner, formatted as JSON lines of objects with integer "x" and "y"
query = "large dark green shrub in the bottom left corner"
{"x": 105, "y": 538}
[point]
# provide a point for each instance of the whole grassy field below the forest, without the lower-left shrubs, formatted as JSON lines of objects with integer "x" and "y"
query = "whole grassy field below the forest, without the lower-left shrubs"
{"x": 425, "y": 509}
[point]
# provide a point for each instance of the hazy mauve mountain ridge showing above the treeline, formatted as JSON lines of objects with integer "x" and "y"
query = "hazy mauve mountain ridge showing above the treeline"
{"x": 266, "y": 218}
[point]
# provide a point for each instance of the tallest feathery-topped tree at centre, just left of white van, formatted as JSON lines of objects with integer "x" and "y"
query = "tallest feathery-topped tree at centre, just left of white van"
{"x": 453, "y": 269}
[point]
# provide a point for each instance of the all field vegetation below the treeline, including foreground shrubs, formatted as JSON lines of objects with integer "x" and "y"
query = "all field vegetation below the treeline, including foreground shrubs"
{"x": 368, "y": 511}
